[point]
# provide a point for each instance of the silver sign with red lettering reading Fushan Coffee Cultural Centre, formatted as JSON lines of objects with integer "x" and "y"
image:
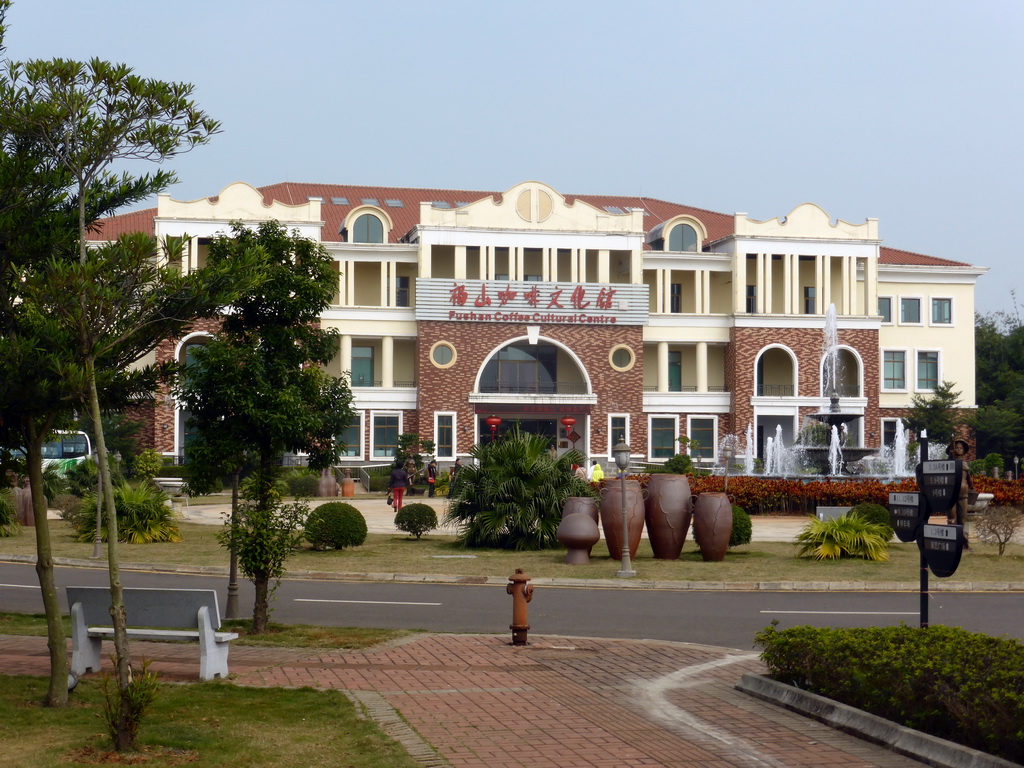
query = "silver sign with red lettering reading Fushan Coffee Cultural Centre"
{"x": 533, "y": 303}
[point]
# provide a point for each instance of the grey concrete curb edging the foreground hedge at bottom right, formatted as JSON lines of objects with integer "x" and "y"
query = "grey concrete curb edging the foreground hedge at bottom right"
{"x": 929, "y": 750}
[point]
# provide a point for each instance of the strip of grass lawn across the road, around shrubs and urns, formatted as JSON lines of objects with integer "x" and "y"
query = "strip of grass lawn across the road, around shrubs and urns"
{"x": 435, "y": 554}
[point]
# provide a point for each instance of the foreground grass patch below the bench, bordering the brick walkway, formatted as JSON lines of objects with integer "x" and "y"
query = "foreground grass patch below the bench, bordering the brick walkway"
{"x": 205, "y": 726}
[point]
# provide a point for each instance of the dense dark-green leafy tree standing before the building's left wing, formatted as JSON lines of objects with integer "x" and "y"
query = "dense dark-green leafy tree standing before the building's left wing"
{"x": 258, "y": 390}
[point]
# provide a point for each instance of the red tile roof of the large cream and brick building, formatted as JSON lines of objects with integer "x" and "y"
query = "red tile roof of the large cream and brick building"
{"x": 408, "y": 216}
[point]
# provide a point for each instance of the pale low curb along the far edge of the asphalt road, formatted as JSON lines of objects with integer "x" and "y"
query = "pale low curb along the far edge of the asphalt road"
{"x": 634, "y": 584}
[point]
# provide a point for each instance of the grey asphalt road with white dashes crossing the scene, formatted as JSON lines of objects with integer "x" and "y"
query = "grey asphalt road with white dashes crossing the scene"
{"x": 721, "y": 619}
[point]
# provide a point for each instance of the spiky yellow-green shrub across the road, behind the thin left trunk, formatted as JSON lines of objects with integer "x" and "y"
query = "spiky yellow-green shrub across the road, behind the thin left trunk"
{"x": 144, "y": 517}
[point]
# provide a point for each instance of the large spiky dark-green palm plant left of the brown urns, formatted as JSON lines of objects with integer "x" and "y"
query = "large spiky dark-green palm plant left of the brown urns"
{"x": 511, "y": 496}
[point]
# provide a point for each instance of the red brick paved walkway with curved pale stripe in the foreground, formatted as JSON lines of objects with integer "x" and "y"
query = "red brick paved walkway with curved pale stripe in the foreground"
{"x": 471, "y": 702}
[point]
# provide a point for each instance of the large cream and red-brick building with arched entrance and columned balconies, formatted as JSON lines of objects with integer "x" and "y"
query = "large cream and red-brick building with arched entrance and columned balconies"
{"x": 590, "y": 319}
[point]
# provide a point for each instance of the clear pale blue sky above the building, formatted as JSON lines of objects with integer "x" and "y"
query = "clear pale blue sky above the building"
{"x": 907, "y": 111}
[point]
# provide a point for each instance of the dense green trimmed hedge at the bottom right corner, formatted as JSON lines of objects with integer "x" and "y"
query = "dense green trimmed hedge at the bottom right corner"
{"x": 946, "y": 681}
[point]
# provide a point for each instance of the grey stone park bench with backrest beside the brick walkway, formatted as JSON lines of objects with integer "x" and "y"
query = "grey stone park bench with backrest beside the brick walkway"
{"x": 152, "y": 615}
